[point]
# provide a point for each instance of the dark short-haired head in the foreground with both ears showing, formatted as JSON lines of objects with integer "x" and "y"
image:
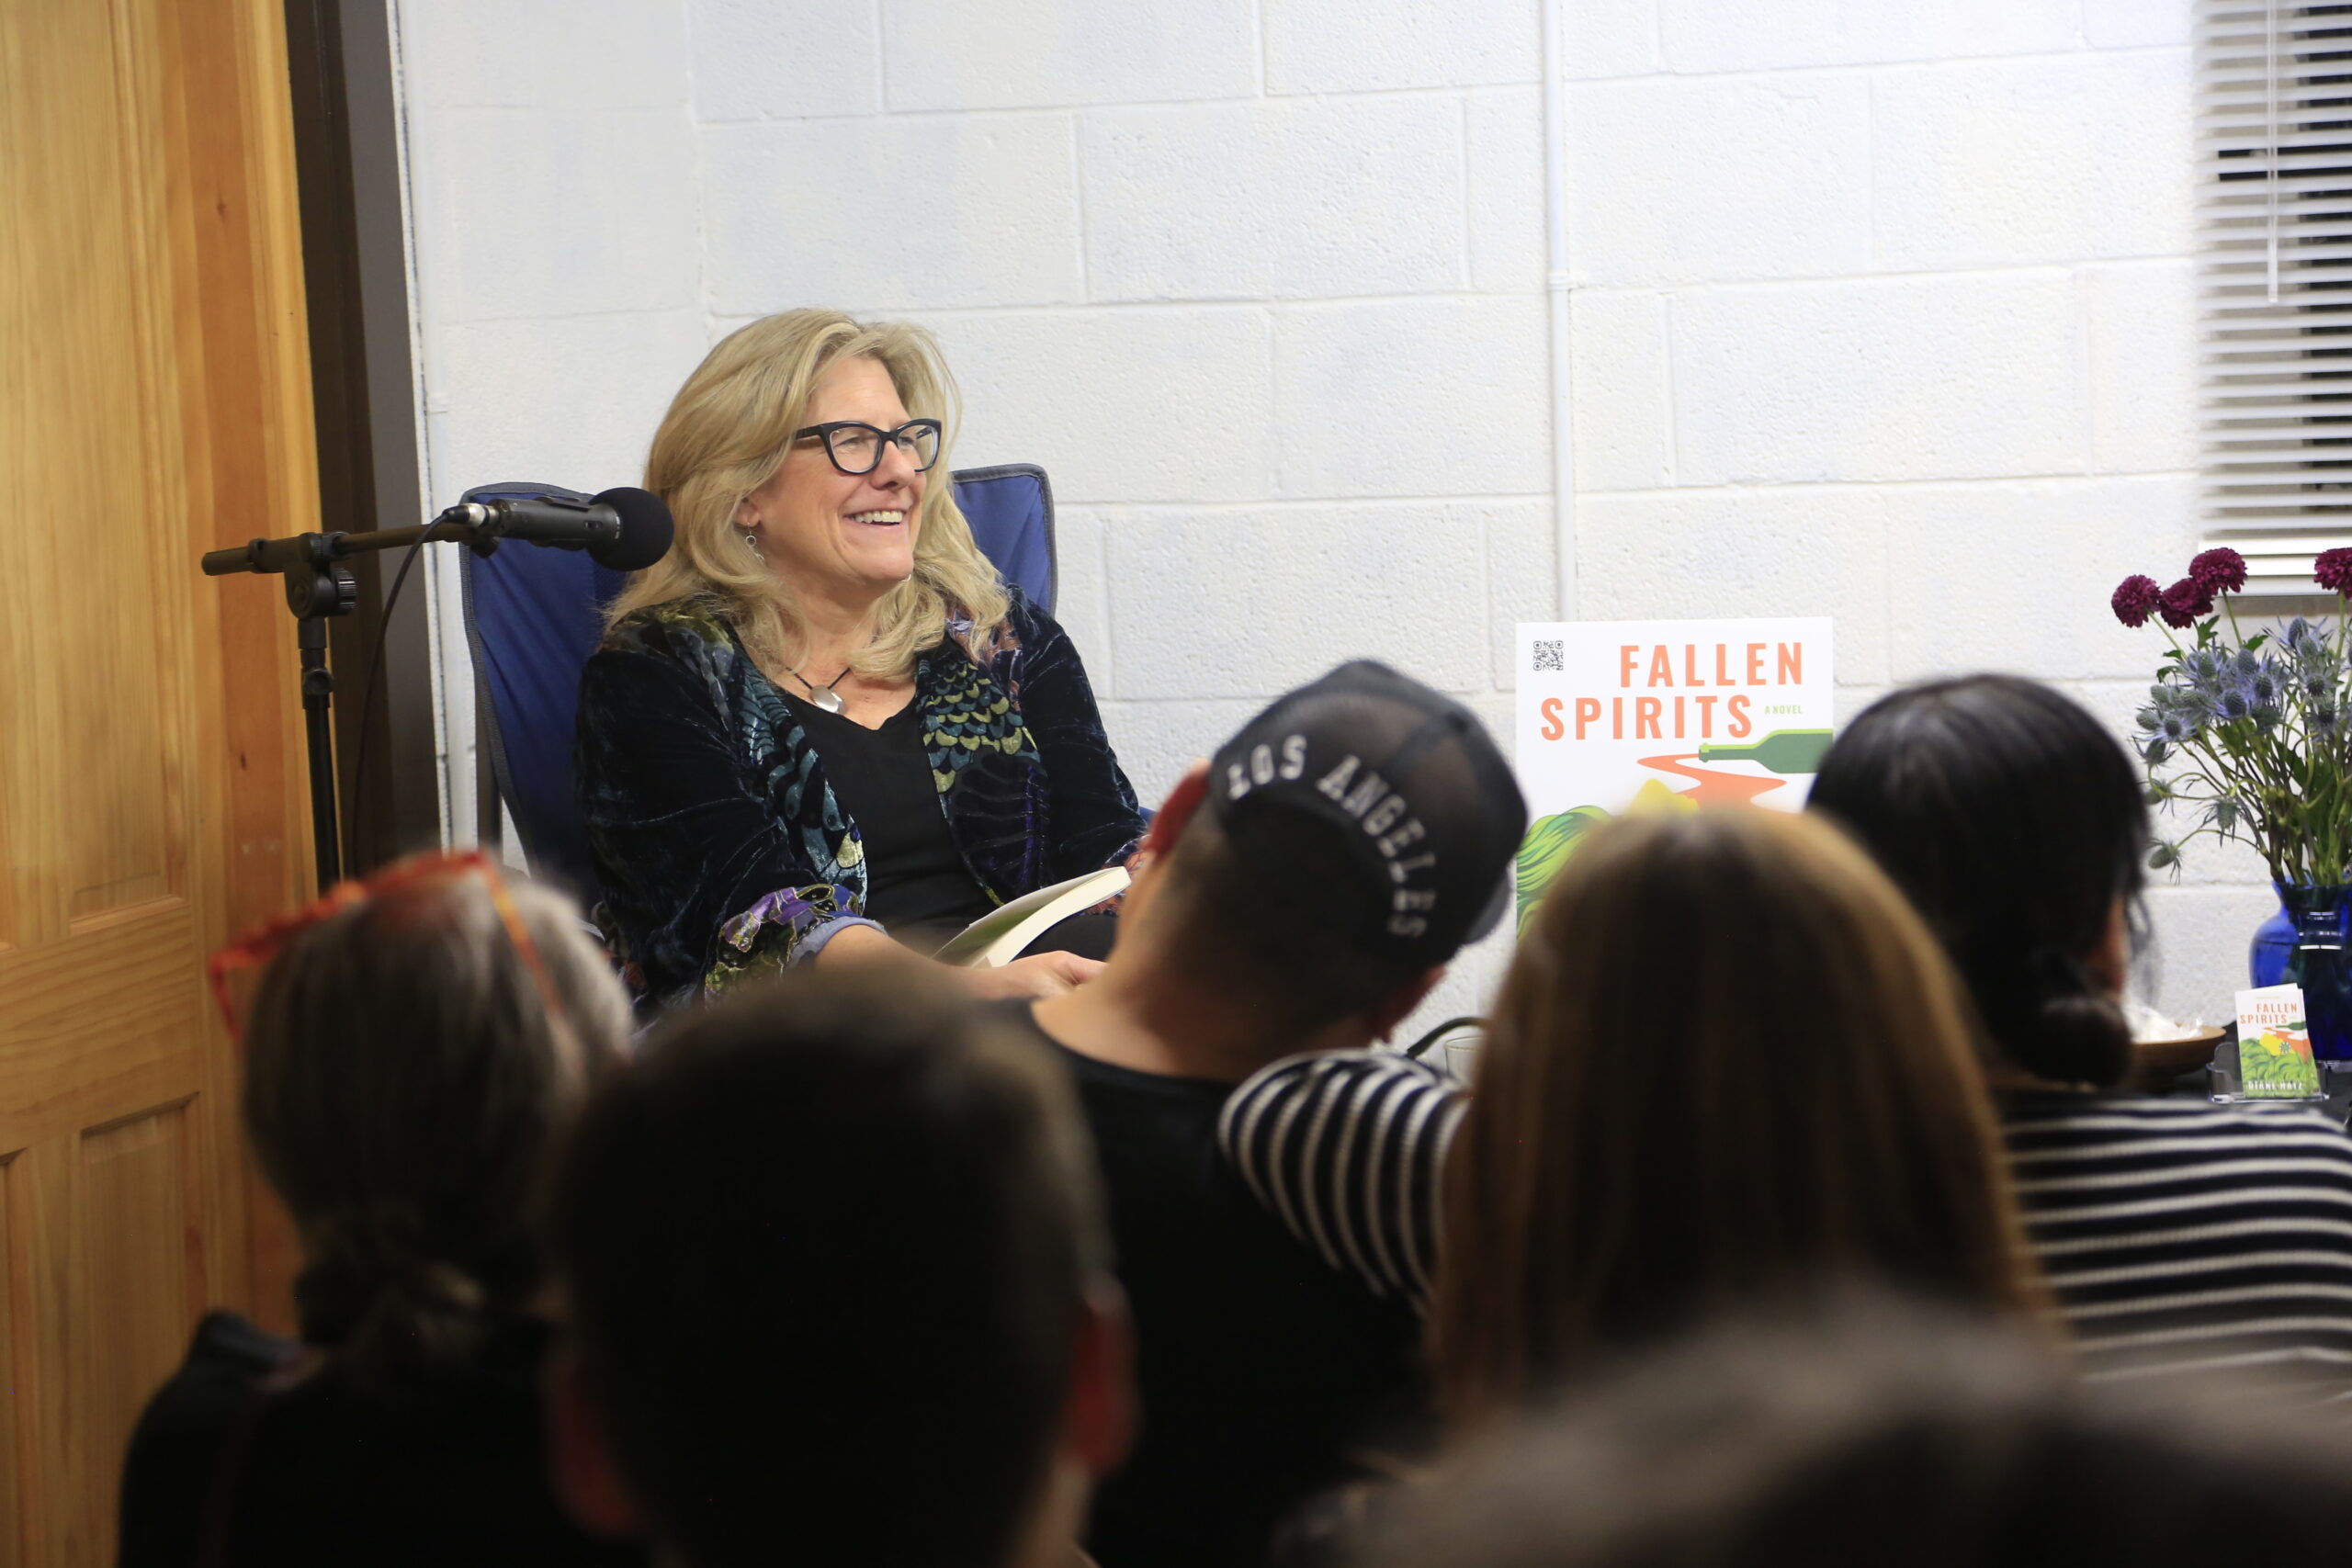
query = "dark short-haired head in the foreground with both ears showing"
{"x": 838, "y": 1289}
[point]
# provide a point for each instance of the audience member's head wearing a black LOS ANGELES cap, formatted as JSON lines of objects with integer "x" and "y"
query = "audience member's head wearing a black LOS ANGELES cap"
{"x": 1335, "y": 852}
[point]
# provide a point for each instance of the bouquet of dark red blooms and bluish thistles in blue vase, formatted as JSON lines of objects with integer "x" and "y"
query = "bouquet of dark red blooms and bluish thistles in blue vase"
{"x": 2250, "y": 739}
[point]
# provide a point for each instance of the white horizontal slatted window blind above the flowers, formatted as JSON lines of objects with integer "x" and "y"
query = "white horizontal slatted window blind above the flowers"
{"x": 2276, "y": 283}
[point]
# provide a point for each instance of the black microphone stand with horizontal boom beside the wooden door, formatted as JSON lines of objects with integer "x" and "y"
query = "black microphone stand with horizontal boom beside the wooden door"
{"x": 319, "y": 587}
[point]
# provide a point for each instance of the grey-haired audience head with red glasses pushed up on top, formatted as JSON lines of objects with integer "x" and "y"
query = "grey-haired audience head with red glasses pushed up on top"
{"x": 410, "y": 1064}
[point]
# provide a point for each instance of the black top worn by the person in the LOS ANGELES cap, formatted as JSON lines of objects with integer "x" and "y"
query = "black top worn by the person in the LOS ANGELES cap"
{"x": 1262, "y": 1369}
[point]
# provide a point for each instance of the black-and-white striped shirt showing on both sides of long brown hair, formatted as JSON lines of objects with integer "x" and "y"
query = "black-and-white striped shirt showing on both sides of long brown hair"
{"x": 2174, "y": 1233}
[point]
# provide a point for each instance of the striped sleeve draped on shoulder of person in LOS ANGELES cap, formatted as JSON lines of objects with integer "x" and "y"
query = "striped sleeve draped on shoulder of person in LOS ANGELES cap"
{"x": 1347, "y": 1148}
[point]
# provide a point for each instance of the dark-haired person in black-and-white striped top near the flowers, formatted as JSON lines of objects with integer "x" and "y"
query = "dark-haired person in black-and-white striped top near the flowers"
{"x": 2172, "y": 1231}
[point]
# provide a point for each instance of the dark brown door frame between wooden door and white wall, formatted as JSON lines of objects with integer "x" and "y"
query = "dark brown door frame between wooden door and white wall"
{"x": 363, "y": 396}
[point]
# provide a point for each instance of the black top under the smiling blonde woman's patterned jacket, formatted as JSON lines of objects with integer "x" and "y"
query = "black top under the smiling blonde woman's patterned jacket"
{"x": 916, "y": 880}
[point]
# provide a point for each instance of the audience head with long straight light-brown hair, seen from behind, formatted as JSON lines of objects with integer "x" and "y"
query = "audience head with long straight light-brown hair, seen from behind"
{"x": 1728, "y": 1066}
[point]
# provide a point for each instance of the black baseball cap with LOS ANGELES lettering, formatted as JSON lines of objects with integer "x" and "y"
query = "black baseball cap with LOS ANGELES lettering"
{"x": 1412, "y": 786}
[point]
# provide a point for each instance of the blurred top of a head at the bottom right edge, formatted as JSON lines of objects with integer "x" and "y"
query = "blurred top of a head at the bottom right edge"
{"x": 1883, "y": 1440}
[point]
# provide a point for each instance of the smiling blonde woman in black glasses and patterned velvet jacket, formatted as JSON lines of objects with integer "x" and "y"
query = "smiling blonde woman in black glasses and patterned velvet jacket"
{"x": 822, "y": 723}
